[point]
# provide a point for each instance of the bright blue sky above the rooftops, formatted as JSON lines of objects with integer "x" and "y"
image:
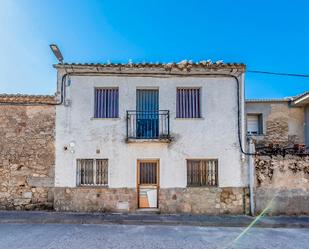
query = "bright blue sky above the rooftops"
{"x": 265, "y": 35}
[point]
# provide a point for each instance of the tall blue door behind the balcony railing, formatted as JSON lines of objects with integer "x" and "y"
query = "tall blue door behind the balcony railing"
{"x": 147, "y": 118}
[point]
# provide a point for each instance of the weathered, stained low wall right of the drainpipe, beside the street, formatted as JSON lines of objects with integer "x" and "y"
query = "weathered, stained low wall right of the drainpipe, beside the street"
{"x": 282, "y": 184}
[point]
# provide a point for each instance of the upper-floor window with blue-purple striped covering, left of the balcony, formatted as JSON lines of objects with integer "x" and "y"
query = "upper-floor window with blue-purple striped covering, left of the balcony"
{"x": 106, "y": 103}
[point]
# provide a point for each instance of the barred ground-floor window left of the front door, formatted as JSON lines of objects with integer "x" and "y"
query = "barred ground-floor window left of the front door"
{"x": 92, "y": 172}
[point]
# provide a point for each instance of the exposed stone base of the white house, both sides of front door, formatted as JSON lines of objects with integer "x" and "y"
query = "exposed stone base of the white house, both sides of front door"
{"x": 171, "y": 200}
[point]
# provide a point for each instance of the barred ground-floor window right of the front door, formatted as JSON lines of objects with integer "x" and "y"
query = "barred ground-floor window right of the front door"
{"x": 202, "y": 172}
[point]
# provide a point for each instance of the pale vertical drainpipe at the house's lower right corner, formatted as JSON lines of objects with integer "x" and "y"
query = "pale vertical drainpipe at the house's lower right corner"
{"x": 251, "y": 175}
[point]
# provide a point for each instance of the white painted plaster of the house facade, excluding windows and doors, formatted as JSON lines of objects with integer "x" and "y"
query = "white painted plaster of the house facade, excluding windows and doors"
{"x": 212, "y": 136}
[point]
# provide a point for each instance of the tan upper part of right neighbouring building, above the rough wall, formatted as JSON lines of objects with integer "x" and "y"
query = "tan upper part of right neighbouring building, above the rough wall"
{"x": 279, "y": 121}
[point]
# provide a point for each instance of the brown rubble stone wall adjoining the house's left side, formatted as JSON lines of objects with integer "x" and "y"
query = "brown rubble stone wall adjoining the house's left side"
{"x": 26, "y": 155}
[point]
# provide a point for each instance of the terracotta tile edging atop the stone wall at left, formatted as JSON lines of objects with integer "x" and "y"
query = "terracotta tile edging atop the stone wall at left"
{"x": 26, "y": 99}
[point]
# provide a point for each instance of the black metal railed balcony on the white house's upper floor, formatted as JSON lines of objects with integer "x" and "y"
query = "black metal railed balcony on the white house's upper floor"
{"x": 148, "y": 126}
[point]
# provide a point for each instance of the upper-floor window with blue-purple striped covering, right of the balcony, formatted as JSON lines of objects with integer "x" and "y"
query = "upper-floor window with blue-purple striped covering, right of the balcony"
{"x": 188, "y": 103}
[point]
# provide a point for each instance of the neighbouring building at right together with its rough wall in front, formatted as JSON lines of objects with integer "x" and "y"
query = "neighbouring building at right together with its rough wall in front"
{"x": 282, "y": 180}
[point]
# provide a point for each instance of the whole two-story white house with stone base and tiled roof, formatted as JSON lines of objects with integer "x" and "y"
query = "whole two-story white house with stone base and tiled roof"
{"x": 161, "y": 136}
